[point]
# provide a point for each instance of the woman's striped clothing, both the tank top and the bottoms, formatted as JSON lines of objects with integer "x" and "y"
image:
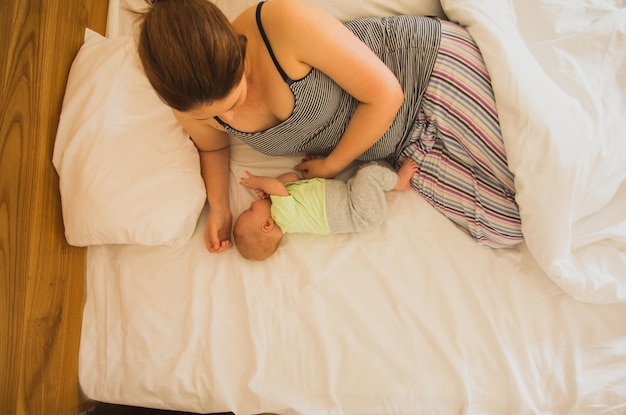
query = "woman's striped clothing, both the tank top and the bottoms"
{"x": 447, "y": 122}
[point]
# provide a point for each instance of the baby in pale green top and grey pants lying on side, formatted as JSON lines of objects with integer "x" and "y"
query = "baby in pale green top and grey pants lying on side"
{"x": 320, "y": 206}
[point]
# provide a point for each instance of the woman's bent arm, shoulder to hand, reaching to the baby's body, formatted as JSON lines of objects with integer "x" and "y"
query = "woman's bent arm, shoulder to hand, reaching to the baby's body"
{"x": 305, "y": 36}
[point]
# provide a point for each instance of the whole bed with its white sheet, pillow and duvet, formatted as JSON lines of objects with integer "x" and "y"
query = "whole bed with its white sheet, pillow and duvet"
{"x": 413, "y": 318}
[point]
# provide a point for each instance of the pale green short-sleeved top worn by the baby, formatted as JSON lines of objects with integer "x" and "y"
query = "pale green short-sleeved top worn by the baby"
{"x": 304, "y": 210}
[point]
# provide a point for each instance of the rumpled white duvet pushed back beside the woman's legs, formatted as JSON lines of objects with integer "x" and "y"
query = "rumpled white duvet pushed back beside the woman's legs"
{"x": 559, "y": 74}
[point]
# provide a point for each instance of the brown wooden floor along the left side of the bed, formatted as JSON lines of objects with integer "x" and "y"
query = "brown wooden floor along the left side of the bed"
{"x": 42, "y": 278}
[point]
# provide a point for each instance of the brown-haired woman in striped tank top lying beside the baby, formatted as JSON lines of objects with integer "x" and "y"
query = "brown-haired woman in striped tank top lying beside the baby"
{"x": 286, "y": 77}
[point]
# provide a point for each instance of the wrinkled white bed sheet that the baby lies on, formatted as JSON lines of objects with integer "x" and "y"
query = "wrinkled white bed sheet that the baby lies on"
{"x": 413, "y": 318}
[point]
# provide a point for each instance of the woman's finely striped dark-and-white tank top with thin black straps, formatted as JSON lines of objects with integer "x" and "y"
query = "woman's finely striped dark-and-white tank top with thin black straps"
{"x": 407, "y": 44}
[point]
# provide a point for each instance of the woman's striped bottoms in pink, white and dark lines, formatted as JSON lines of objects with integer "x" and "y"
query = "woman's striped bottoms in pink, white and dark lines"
{"x": 458, "y": 146}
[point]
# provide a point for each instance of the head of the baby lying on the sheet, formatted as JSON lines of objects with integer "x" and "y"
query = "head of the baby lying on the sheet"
{"x": 256, "y": 234}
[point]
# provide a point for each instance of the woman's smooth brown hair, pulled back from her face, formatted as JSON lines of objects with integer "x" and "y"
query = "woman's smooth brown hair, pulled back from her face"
{"x": 189, "y": 52}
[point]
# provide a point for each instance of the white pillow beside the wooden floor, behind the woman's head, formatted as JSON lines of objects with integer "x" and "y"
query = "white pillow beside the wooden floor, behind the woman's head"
{"x": 128, "y": 172}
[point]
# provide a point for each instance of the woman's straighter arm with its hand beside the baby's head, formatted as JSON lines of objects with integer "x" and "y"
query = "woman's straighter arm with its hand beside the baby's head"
{"x": 214, "y": 150}
